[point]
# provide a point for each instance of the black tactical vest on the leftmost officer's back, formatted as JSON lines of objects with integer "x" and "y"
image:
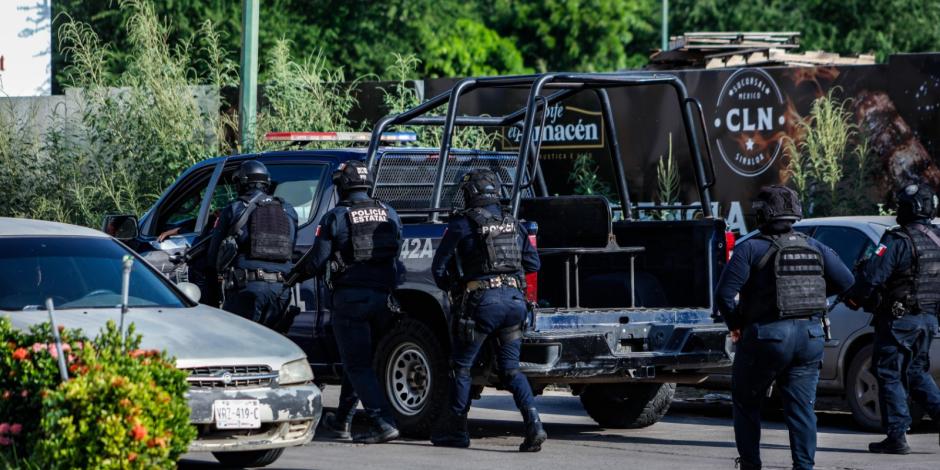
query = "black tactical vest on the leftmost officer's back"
{"x": 269, "y": 232}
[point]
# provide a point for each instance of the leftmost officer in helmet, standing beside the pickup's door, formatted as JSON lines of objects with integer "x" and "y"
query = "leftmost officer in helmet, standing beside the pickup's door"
{"x": 252, "y": 247}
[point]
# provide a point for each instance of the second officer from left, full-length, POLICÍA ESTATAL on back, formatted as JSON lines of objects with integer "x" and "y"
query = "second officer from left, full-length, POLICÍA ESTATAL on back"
{"x": 357, "y": 249}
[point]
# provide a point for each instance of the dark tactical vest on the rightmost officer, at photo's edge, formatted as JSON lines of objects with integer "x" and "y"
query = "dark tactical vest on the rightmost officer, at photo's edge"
{"x": 918, "y": 286}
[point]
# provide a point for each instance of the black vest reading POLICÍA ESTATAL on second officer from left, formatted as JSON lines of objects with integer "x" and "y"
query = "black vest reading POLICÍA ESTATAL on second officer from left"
{"x": 373, "y": 235}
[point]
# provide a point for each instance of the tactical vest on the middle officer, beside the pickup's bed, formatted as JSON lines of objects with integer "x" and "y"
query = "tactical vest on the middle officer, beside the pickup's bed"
{"x": 497, "y": 237}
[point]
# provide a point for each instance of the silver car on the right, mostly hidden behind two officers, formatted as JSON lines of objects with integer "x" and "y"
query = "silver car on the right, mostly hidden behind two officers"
{"x": 846, "y": 369}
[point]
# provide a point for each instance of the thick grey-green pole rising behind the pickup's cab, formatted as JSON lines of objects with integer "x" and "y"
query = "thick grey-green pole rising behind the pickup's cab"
{"x": 248, "y": 100}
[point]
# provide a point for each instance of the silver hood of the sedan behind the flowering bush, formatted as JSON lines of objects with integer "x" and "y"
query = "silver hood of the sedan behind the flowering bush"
{"x": 199, "y": 336}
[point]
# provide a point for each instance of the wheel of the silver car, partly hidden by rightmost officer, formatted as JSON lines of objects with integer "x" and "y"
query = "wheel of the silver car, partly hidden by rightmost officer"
{"x": 861, "y": 391}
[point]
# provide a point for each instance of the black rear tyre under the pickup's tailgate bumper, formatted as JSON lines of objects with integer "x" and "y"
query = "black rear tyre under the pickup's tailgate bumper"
{"x": 627, "y": 405}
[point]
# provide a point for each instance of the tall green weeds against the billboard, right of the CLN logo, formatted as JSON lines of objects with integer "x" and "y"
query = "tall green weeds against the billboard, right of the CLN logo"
{"x": 829, "y": 165}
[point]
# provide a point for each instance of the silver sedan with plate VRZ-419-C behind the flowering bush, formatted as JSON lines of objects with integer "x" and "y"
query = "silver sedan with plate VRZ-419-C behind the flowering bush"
{"x": 251, "y": 389}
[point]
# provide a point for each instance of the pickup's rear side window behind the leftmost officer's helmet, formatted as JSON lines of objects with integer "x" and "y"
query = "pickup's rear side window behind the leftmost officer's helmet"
{"x": 298, "y": 185}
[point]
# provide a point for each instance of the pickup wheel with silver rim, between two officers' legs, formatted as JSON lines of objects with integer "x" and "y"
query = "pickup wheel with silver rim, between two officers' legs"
{"x": 412, "y": 369}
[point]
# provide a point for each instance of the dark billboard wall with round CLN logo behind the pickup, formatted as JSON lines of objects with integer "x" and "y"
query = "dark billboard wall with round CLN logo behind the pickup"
{"x": 749, "y": 114}
